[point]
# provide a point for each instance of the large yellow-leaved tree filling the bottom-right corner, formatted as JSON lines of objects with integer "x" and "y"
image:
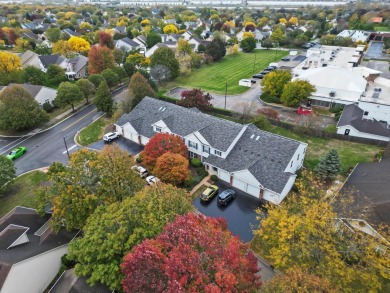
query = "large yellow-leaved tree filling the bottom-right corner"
{"x": 312, "y": 232}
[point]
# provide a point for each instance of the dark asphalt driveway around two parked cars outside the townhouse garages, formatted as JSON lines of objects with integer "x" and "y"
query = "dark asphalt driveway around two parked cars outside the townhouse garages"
{"x": 240, "y": 213}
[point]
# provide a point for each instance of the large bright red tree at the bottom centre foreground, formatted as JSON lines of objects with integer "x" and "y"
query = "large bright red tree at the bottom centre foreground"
{"x": 192, "y": 254}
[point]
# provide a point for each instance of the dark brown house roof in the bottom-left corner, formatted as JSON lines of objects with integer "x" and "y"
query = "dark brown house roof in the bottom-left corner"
{"x": 24, "y": 220}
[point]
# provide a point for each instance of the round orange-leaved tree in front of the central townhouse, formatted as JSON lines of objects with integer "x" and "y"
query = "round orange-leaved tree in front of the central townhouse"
{"x": 172, "y": 168}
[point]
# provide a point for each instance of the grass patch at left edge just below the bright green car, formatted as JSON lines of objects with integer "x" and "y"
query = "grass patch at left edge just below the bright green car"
{"x": 21, "y": 192}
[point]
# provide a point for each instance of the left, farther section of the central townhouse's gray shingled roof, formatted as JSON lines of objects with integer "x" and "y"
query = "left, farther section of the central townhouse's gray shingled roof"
{"x": 181, "y": 121}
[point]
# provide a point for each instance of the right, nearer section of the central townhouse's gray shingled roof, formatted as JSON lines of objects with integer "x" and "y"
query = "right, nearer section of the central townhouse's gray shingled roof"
{"x": 266, "y": 157}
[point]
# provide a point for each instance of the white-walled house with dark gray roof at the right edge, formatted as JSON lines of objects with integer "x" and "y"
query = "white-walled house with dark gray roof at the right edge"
{"x": 353, "y": 122}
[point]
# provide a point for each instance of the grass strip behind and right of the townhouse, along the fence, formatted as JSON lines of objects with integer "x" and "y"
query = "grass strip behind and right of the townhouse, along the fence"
{"x": 350, "y": 153}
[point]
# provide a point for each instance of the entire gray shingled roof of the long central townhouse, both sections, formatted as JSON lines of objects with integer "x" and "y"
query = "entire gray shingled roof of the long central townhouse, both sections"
{"x": 264, "y": 154}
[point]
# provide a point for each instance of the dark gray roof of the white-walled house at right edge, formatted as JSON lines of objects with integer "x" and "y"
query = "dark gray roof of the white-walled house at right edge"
{"x": 352, "y": 115}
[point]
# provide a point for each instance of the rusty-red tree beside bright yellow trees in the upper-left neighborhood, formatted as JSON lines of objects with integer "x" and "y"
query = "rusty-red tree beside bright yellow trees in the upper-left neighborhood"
{"x": 99, "y": 59}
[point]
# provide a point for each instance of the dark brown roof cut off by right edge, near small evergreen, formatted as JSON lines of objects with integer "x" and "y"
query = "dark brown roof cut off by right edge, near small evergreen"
{"x": 371, "y": 181}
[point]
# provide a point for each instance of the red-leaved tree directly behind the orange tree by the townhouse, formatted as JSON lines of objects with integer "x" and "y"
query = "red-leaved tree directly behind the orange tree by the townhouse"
{"x": 160, "y": 144}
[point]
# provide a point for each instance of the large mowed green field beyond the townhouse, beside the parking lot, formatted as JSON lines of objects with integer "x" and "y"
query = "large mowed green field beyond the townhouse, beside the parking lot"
{"x": 230, "y": 69}
